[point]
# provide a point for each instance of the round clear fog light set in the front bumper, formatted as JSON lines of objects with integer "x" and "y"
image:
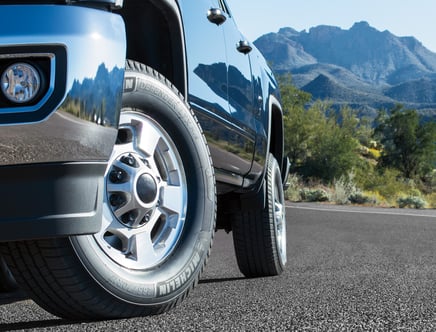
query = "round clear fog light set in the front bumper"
{"x": 20, "y": 82}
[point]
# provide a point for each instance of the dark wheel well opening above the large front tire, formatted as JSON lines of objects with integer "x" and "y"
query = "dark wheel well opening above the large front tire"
{"x": 154, "y": 32}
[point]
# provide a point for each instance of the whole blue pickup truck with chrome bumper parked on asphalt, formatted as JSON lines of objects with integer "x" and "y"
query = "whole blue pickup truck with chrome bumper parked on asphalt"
{"x": 129, "y": 133}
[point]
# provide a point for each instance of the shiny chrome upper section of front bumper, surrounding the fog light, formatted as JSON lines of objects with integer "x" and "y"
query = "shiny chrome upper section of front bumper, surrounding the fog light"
{"x": 77, "y": 119}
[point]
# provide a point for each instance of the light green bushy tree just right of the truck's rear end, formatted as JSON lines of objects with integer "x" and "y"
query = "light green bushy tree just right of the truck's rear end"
{"x": 319, "y": 141}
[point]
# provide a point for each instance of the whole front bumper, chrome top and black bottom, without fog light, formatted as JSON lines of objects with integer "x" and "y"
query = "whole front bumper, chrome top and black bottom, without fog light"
{"x": 53, "y": 153}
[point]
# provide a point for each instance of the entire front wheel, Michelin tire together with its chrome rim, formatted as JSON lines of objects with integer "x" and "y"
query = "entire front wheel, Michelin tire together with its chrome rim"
{"x": 158, "y": 217}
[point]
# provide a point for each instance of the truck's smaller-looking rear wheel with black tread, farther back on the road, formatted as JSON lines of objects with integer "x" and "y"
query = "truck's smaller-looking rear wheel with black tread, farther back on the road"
{"x": 259, "y": 233}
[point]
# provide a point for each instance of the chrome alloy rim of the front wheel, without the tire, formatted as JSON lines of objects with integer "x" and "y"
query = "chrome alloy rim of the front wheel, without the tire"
{"x": 145, "y": 197}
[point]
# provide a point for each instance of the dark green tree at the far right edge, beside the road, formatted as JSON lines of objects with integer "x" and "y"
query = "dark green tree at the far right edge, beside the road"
{"x": 409, "y": 145}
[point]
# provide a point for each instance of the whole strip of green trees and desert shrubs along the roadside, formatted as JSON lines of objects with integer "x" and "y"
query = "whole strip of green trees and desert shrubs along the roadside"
{"x": 337, "y": 156}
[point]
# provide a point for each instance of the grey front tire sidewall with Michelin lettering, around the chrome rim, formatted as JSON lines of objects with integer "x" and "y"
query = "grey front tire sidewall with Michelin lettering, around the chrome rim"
{"x": 158, "y": 100}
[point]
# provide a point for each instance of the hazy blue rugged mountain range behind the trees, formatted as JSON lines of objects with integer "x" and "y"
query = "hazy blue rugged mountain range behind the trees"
{"x": 362, "y": 66}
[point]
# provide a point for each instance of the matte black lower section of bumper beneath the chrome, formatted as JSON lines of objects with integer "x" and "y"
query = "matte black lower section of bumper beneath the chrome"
{"x": 50, "y": 200}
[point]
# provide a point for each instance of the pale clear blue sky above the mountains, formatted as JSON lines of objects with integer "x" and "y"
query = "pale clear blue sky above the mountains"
{"x": 401, "y": 17}
